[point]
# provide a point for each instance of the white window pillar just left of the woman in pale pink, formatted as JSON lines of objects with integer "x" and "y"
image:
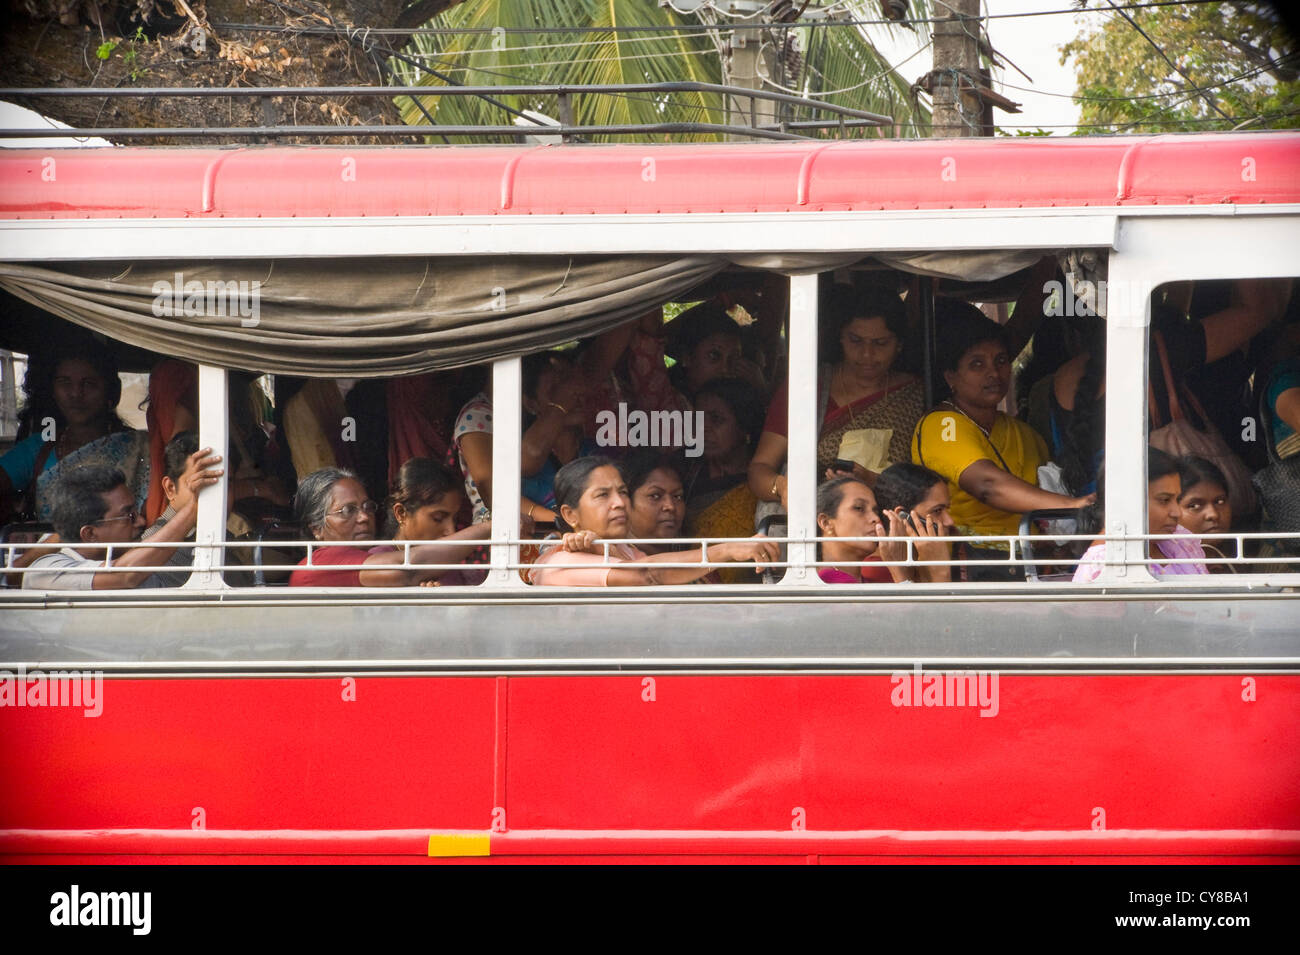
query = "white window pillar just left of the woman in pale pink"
{"x": 506, "y": 463}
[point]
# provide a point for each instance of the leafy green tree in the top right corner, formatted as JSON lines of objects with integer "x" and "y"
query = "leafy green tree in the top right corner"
{"x": 1241, "y": 51}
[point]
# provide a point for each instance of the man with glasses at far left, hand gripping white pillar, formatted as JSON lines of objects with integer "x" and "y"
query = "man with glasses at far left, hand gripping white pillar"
{"x": 94, "y": 509}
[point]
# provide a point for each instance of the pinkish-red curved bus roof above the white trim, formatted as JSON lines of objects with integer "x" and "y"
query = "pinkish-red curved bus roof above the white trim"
{"x": 315, "y": 183}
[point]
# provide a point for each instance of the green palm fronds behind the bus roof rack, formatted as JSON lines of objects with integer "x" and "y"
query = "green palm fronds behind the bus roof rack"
{"x": 578, "y": 44}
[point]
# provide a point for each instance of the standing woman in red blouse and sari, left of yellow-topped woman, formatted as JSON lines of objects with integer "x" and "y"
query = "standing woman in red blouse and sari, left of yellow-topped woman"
{"x": 866, "y": 406}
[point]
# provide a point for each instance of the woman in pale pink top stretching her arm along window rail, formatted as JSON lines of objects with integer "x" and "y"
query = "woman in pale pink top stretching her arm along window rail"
{"x": 592, "y": 500}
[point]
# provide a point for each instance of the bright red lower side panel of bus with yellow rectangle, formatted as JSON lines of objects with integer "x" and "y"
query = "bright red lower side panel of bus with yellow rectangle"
{"x": 755, "y": 769}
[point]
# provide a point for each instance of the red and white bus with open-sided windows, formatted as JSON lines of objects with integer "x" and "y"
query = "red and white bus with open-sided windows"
{"x": 1130, "y": 719}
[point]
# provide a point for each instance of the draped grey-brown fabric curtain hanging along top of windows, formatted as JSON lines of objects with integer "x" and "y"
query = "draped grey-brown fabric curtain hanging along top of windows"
{"x": 395, "y": 316}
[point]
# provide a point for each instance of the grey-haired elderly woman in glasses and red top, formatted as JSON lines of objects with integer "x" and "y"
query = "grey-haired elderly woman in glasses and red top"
{"x": 333, "y": 506}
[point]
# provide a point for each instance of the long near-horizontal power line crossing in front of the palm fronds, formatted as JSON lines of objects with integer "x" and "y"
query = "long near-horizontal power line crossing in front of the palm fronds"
{"x": 670, "y": 28}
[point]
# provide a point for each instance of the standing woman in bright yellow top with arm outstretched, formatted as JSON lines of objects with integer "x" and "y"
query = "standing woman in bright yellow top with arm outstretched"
{"x": 990, "y": 459}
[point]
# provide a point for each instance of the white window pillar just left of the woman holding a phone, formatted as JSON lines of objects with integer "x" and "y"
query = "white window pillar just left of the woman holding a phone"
{"x": 801, "y": 454}
